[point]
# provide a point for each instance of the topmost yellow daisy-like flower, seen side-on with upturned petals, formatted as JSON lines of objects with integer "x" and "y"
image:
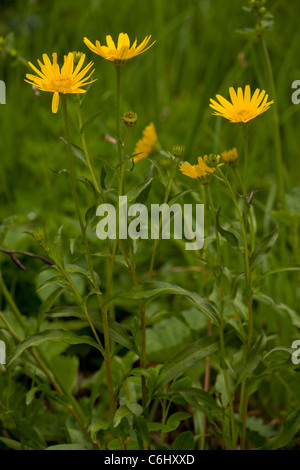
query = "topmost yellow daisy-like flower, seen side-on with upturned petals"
{"x": 122, "y": 52}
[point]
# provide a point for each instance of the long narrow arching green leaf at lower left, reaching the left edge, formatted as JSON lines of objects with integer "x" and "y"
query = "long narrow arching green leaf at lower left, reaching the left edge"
{"x": 50, "y": 335}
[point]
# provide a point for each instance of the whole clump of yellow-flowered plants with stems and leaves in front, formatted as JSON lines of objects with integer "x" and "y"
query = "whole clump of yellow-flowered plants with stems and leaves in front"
{"x": 181, "y": 356}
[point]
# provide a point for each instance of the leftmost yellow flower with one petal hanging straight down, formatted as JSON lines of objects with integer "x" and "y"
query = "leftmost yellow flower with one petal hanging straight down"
{"x": 60, "y": 81}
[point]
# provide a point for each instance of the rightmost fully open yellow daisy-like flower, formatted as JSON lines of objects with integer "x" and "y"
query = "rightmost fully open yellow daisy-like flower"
{"x": 242, "y": 108}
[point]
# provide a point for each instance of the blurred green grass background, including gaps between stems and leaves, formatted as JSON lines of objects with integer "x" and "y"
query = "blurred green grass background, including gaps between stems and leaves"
{"x": 198, "y": 53}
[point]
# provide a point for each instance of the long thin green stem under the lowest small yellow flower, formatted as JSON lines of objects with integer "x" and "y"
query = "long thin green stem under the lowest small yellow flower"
{"x": 221, "y": 326}
